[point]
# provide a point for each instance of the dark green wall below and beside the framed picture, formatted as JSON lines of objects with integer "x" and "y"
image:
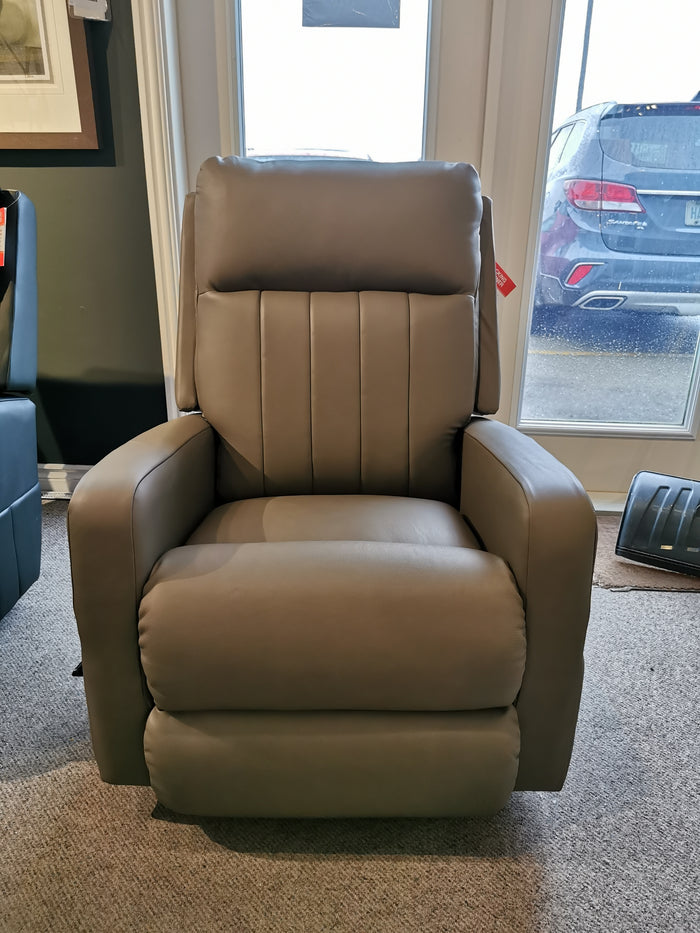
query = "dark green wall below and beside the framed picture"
{"x": 100, "y": 373}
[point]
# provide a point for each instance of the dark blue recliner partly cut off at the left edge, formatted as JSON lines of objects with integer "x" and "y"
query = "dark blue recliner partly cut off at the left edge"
{"x": 20, "y": 495}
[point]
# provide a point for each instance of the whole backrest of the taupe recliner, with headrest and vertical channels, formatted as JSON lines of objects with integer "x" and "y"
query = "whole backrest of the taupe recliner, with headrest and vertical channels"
{"x": 328, "y": 326}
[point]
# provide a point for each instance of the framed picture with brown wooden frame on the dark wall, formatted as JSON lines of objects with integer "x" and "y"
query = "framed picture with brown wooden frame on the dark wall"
{"x": 45, "y": 91}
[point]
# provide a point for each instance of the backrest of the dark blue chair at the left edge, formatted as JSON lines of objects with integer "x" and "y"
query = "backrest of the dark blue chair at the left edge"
{"x": 18, "y": 290}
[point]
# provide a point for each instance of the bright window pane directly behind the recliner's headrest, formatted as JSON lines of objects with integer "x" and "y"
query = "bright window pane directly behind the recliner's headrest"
{"x": 334, "y": 77}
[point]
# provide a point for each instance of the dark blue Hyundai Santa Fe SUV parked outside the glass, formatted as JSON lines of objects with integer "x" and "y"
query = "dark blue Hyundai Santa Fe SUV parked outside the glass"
{"x": 621, "y": 219}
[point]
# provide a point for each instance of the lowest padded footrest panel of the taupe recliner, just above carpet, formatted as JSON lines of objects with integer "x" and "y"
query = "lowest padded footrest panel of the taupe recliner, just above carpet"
{"x": 333, "y": 764}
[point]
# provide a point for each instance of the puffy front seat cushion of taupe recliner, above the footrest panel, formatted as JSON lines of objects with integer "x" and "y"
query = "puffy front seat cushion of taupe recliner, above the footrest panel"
{"x": 331, "y": 625}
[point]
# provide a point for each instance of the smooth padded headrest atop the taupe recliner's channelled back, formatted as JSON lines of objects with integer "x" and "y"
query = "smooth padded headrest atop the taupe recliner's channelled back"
{"x": 337, "y": 225}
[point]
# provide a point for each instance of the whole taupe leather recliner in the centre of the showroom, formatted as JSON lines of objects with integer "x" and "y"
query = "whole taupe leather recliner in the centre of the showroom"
{"x": 339, "y": 590}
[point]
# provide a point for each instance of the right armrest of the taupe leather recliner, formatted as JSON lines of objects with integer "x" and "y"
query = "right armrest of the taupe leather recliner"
{"x": 531, "y": 510}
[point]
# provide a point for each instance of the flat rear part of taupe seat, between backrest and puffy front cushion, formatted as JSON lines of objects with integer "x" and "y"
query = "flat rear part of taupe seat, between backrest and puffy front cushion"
{"x": 336, "y": 518}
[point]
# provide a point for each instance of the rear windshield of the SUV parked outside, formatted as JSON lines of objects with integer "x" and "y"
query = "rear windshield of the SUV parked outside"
{"x": 651, "y": 136}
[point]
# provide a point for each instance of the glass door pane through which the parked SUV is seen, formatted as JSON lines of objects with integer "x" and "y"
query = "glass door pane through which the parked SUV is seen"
{"x": 614, "y": 343}
